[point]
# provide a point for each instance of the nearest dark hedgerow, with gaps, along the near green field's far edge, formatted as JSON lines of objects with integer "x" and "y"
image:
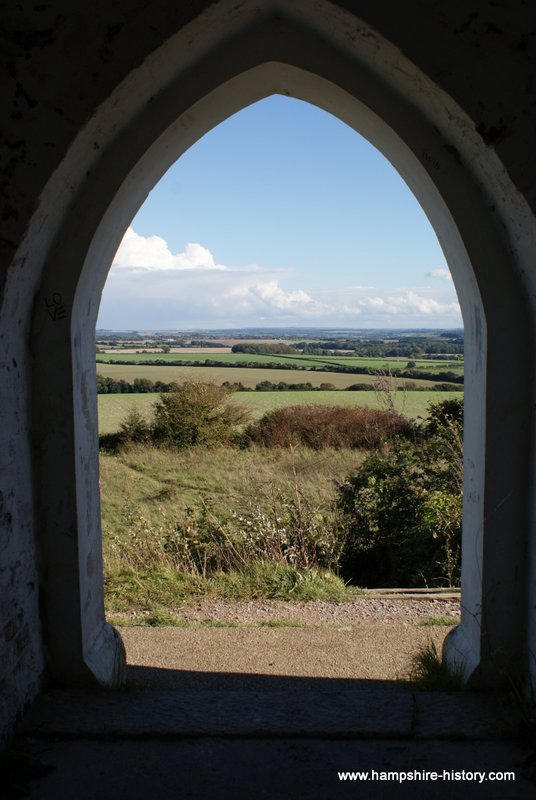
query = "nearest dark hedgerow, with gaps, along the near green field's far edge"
{"x": 106, "y": 385}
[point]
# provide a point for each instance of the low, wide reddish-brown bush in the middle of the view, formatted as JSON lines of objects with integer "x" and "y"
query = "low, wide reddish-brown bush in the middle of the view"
{"x": 328, "y": 426}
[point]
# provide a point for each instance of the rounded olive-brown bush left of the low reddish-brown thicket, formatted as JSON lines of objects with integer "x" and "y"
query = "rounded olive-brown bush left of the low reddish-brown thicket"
{"x": 196, "y": 413}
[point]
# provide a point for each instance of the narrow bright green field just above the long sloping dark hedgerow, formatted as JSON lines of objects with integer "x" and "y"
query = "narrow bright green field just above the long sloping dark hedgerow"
{"x": 304, "y": 361}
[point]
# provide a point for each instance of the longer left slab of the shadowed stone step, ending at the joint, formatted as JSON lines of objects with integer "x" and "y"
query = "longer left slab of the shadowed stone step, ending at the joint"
{"x": 364, "y": 713}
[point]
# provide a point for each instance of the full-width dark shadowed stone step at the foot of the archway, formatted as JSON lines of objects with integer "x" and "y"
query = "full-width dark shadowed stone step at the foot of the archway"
{"x": 355, "y": 713}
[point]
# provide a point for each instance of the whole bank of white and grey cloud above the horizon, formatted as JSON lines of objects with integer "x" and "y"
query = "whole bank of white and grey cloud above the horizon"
{"x": 149, "y": 287}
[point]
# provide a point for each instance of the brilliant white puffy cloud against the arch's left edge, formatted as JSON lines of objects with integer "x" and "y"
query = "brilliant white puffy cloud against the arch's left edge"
{"x": 153, "y": 253}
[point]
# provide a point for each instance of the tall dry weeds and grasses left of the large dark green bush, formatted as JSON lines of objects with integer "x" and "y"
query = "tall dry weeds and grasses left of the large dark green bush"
{"x": 200, "y": 543}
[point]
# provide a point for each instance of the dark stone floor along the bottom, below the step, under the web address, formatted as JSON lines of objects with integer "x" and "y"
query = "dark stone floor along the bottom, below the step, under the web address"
{"x": 242, "y": 769}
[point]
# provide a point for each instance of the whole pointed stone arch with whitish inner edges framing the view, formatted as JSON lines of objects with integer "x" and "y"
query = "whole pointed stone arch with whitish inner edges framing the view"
{"x": 229, "y": 57}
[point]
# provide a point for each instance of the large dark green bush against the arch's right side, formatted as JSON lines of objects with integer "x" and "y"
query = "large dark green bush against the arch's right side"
{"x": 402, "y": 509}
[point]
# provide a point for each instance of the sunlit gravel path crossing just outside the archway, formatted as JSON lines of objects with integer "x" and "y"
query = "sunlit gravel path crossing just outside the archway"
{"x": 365, "y": 639}
